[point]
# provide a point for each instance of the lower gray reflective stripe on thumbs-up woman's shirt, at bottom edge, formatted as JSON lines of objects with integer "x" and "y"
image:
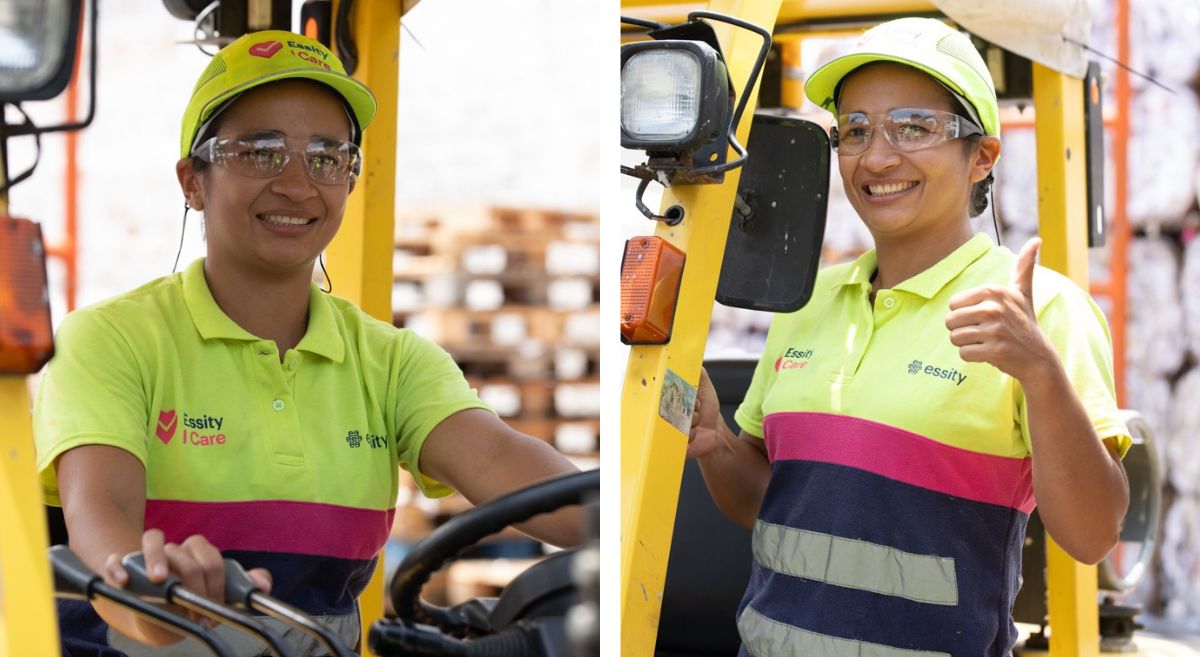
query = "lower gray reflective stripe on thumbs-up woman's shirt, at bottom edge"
{"x": 764, "y": 637}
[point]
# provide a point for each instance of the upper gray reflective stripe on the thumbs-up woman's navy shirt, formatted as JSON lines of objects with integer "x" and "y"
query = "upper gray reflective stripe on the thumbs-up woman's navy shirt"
{"x": 856, "y": 564}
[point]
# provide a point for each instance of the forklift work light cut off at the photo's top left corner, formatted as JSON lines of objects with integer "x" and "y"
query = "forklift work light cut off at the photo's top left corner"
{"x": 38, "y": 49}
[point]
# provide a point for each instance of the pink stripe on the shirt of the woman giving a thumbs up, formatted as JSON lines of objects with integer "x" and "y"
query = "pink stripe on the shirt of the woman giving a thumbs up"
{"x": 901, "y": 456}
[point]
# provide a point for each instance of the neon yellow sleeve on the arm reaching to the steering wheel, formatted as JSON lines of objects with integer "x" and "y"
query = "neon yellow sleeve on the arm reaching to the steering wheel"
{"x": 430, "y": 389}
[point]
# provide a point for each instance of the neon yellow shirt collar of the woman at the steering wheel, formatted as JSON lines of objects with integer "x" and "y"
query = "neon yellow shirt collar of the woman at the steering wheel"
{"x": 322, "y": 339}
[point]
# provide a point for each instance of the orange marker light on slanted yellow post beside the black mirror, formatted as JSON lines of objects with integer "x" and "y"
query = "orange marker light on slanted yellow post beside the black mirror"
{"x": 650, "y": 290}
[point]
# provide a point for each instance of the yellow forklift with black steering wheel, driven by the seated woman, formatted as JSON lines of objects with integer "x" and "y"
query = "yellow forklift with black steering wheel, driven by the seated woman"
{"x": 43, "y": 40}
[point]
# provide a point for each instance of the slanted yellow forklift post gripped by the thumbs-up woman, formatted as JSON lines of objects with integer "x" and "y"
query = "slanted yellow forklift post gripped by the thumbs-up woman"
{"x": 652, "y": 451}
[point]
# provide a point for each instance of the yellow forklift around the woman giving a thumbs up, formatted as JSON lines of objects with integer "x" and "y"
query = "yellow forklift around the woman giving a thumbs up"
{"x": 722, "y": 227}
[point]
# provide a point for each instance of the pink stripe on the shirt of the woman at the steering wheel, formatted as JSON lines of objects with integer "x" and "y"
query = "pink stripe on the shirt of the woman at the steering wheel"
{"x": 275, "y": 527}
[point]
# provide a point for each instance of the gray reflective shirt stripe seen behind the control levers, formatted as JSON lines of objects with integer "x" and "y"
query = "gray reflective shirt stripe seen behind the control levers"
{"x": 347, "y": 628}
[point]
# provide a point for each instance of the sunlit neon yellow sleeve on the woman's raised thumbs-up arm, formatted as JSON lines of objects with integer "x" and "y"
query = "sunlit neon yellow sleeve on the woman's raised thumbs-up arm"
{"x": 1077, "y": 329}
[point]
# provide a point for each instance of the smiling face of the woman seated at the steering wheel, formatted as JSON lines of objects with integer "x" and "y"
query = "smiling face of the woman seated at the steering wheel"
{"x": 273, "y": 225}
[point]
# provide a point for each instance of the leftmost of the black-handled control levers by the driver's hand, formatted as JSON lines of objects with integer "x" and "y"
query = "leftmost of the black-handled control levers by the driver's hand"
{"x": 74, "y": 580}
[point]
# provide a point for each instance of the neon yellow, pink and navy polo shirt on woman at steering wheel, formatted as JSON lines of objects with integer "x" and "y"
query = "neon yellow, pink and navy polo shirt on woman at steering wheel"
{"x": 289, "y": 466}
